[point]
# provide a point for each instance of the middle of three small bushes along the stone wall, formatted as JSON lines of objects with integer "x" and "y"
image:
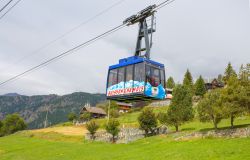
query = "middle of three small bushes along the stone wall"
{"x": 112, "y": 127}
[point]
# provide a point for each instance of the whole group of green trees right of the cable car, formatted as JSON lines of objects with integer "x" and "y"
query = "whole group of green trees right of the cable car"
{"x": 231, "y": 101}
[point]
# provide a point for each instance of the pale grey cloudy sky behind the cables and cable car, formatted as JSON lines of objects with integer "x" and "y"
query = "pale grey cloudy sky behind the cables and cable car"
{"x": 199, "y": 35}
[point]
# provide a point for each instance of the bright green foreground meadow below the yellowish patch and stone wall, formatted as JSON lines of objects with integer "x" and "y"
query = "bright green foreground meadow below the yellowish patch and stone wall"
{"x": 160, "y": 147}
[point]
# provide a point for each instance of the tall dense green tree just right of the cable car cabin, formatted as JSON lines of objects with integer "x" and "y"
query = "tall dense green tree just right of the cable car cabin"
{"x": 180, "y": 109}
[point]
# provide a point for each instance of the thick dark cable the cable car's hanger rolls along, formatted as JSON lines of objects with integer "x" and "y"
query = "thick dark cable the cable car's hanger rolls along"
{"x": 72, "y": 50}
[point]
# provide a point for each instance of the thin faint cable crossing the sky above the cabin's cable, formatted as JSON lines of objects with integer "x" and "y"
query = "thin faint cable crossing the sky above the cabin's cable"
{"x": 46, "y": 45}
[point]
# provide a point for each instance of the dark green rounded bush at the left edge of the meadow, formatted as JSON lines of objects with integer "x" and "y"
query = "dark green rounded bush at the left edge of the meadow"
{"x": 11, "y": 124}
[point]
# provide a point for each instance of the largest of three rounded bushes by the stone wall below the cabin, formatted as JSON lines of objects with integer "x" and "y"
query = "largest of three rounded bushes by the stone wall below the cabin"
{"x": 148, "y": 121}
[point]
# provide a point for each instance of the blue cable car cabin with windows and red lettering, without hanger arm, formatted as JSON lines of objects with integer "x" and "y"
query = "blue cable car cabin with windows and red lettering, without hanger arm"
{"x": 136, "y": 79}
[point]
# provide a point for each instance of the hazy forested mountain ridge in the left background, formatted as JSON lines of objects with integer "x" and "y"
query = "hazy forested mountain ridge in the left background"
{"x": 34, "y": 108}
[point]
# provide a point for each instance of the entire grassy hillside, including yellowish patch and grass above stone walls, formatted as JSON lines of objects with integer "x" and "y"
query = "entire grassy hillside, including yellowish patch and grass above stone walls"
{"x": 67, "y": 143}
